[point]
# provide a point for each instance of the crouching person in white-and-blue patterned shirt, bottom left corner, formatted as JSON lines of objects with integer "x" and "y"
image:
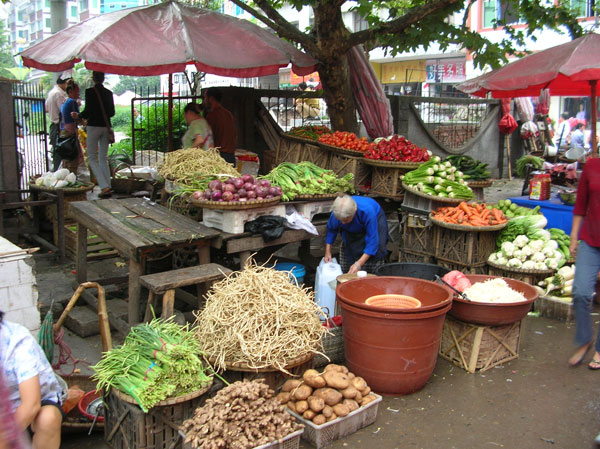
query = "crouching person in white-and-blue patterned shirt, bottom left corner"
{"x": 34, "y": 393}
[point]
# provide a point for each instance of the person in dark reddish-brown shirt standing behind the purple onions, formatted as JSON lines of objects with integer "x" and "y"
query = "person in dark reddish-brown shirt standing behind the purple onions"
{"x": 222, "y": 124}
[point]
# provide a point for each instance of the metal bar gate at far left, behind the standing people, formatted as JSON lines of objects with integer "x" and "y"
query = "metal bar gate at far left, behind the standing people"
{"x": 31, "y": 132}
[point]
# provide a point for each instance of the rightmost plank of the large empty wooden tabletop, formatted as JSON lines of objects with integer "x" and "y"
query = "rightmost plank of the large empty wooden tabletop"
{"x": 169, "y": 218}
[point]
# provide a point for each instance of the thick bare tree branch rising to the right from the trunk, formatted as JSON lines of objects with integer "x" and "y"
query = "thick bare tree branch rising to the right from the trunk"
{"x": 412, "y": 17}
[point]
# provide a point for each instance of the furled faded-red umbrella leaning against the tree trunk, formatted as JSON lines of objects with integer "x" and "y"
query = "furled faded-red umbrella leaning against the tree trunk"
{"x": 373, "y": 106}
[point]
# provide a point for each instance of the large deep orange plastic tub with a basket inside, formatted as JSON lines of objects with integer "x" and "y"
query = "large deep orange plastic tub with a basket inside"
{"x": 394, "y": 350}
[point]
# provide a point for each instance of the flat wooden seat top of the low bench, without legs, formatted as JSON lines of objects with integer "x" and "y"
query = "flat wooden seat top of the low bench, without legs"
{"x": 161, "y": 282}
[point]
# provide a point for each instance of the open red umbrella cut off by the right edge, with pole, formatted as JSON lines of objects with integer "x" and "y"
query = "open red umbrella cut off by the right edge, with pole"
{"x": 568, "y": 69}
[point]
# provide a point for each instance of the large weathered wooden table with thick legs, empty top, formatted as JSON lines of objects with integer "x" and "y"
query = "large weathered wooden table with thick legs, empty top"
{"x": 136, "y": 228}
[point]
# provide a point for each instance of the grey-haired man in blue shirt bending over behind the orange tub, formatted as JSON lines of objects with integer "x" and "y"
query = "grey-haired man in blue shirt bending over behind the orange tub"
{"x": 364, "y": 233}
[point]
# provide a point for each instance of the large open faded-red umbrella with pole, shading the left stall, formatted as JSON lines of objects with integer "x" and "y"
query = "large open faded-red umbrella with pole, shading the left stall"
{"x": 165, "y": 38}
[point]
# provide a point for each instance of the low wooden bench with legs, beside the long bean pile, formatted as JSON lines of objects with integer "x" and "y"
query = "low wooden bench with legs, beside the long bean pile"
{"x": 166, "y": 282}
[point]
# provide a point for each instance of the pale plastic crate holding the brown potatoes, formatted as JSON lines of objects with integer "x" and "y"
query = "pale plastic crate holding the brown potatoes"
{"x": 325, "y": 434}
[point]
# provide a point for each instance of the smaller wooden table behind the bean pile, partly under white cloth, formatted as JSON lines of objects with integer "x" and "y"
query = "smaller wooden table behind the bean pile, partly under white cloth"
{"x": 245, "y": 244}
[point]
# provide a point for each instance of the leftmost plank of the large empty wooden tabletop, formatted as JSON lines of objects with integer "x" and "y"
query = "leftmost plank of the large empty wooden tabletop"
{"x": 107, "y": 226}
